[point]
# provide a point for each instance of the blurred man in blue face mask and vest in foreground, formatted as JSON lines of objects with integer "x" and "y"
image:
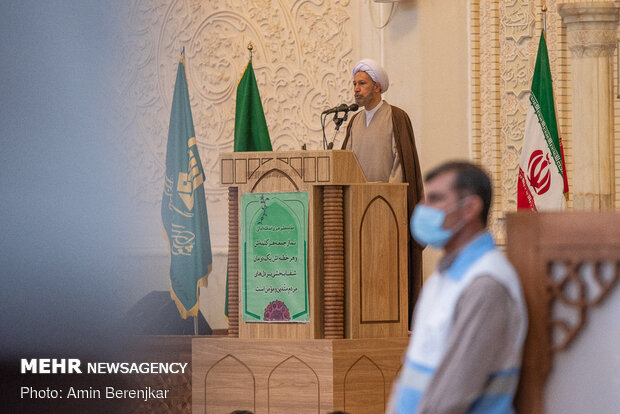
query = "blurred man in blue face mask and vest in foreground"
{"x": 470, "y": 322}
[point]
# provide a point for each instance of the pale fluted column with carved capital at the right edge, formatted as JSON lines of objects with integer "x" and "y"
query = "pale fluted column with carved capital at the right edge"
{"x": 591, "y": 34}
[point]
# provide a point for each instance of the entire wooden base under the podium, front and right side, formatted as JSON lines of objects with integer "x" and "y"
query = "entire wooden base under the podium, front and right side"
{"x": 310, "y": 376}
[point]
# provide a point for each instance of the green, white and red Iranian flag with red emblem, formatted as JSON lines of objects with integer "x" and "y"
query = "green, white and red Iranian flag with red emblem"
{"x": 542, "y": 173}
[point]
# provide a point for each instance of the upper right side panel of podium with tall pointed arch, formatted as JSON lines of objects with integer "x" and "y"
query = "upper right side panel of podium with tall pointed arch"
{"x": 376, "y": 261}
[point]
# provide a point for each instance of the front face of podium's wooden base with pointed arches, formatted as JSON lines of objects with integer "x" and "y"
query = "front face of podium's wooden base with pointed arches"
{"x": 277, "y": 368}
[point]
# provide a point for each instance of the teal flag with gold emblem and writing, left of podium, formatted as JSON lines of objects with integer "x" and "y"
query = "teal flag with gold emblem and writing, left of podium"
{"x": 184, "y": 207}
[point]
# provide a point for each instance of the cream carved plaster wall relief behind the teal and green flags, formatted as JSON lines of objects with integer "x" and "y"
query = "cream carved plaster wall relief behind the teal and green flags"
{"x": 302, "y": 56}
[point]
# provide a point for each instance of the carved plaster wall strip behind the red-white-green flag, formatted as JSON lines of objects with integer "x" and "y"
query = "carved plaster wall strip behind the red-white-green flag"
{"x": 505, "y": 36}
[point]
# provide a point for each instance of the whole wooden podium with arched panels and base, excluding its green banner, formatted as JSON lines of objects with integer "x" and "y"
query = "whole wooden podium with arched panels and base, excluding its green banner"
{"x": 349, "y": 353}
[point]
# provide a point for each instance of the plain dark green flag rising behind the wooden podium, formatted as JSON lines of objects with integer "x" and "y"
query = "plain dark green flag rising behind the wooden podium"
{"x": 251, "y": 132}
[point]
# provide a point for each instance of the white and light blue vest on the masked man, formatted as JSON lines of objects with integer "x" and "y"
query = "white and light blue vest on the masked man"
{"x": 433, "y": 322}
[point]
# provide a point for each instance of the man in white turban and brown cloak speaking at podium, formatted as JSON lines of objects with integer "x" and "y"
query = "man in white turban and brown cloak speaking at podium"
{"x": 382, "y": 139}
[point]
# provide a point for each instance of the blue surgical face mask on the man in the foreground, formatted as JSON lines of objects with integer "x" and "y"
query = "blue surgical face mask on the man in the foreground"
{"x": 427, "y": 226}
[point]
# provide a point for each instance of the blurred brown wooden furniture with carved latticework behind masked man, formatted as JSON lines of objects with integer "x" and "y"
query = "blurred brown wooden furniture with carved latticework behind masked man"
{"x": 568, "y": 263}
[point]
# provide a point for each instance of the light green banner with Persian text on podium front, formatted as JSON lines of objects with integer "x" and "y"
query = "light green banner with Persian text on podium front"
{"x": 274, "y": 238}
